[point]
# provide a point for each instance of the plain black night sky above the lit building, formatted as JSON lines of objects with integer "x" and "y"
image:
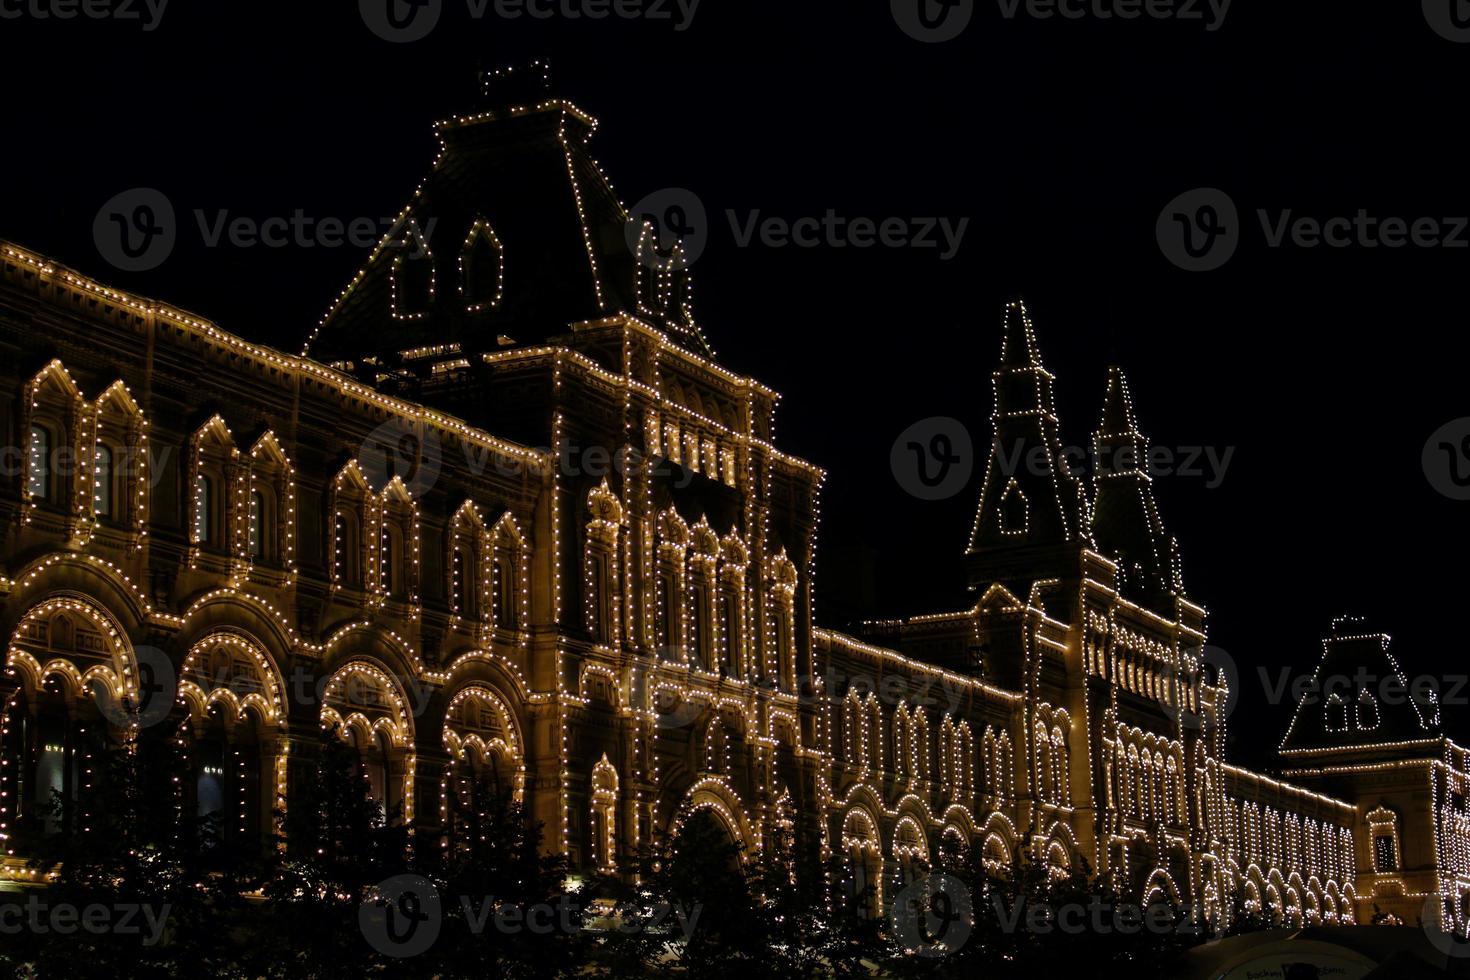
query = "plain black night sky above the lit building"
{"x": 1325, "y": 370}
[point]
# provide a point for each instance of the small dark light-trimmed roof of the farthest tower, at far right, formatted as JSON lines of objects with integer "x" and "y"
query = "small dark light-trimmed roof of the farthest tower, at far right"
{"x": 1360, "y": 699}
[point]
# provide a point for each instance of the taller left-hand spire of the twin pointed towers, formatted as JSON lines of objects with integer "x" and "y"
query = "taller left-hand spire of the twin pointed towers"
{"x": 1028, "y": 499}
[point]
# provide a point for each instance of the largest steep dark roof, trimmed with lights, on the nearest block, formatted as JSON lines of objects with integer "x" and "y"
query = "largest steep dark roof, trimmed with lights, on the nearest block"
{"x": 512, "y": 237}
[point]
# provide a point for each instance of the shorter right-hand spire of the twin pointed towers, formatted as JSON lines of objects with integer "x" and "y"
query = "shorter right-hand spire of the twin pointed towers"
{"x": 1125, "y": 516}
